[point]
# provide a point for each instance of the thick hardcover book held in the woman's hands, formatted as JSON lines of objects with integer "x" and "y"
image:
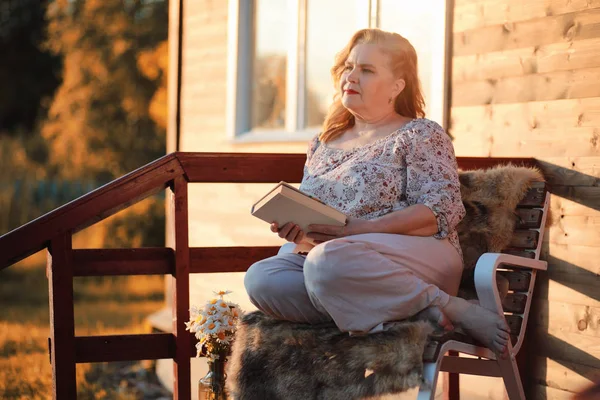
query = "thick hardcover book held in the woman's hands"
{"x": 284, "y": 203}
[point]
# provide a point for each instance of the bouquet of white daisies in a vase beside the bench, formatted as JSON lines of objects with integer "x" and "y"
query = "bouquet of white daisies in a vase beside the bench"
{"x": 214, "y": 326}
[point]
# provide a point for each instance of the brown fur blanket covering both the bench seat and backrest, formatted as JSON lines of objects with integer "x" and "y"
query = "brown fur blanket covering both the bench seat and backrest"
{"x": 276, "y": 360}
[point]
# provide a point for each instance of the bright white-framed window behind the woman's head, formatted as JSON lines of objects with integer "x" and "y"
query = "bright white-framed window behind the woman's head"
{"x": 281, "y": 52}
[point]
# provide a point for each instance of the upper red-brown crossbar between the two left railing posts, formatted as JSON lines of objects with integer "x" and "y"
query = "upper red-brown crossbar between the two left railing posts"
{"x": 110, "y": 262}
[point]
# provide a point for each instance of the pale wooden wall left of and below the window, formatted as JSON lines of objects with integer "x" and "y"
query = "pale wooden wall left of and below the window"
{"x": 219, "y": 213}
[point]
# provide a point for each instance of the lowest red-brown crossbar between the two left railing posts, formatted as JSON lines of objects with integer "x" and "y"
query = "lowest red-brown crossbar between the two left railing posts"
{"x": 152, "y": 346}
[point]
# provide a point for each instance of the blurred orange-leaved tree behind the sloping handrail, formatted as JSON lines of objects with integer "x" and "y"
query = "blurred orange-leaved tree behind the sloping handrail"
{"x": 99, "y": 124}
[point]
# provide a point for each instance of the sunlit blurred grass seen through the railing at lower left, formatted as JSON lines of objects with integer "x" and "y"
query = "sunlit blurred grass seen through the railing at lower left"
{"x": 103, "y": 305}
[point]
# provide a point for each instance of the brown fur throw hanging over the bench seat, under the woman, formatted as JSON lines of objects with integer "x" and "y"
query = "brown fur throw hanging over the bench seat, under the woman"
{"x": 274, "y": 360}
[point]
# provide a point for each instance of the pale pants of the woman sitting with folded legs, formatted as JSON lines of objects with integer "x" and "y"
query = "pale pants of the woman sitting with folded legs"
{"x": 359, "y": 281}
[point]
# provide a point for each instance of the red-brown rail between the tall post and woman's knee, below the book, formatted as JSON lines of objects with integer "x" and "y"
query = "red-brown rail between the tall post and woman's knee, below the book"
{"x": 228, "y": 259}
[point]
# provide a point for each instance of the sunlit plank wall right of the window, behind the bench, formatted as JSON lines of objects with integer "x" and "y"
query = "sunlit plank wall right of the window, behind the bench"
{"x": 526, "y": 82}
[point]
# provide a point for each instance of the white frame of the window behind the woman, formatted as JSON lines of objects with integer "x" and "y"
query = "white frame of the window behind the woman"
{"x": 239, "y": 73}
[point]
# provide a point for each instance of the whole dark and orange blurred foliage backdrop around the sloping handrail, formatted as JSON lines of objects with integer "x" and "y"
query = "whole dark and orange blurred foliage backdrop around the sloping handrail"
{"x": 83, "y": 101}
